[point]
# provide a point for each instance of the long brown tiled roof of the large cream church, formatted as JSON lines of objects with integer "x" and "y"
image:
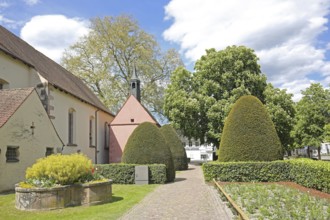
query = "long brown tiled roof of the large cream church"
{"x": 54, "y": 73}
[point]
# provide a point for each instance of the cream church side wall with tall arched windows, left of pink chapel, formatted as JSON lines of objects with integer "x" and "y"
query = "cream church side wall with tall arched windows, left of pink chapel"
{"x": 62, "y": 102}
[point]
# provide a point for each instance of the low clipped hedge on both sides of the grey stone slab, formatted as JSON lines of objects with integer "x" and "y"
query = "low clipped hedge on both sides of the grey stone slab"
{"x": 125, "y": 173}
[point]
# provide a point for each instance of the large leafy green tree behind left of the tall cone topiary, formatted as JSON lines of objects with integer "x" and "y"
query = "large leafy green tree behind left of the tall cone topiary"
{"x": 198, "y": 103}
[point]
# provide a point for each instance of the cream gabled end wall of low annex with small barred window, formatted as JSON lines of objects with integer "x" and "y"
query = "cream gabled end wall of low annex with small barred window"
{"x": 17, "y": 132}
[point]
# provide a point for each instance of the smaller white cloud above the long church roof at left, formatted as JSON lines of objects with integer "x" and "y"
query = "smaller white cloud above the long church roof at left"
{"x": 52, "y": 34}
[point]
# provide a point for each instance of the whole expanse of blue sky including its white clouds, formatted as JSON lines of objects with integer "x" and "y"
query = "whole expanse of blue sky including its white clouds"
{"x": 291, "y": 37}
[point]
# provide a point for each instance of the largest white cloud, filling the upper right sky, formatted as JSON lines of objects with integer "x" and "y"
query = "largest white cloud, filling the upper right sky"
{"x": 283, "y": 33}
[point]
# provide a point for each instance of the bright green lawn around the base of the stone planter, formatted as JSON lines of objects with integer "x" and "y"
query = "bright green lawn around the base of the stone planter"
{"x": 124, "y": 197}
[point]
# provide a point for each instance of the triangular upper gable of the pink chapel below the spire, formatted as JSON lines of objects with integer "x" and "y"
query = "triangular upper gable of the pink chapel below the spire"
{"x": 133, "y": 109}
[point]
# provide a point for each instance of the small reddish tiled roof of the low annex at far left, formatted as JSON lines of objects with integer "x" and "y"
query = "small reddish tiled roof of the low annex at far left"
{"x": 10, "y": 101}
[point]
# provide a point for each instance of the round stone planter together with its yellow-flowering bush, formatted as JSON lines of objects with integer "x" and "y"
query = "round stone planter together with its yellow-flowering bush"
{"x": 60, "y": 181}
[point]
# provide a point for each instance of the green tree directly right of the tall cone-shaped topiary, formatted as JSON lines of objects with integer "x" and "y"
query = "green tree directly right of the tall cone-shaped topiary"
{"x": 281, "y": 109}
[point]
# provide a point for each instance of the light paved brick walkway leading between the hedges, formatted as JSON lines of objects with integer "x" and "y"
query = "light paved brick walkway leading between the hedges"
{"x": 187, "y": 198}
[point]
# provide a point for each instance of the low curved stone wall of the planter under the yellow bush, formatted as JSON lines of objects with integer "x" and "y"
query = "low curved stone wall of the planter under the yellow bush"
{"x": 63, "y": 196}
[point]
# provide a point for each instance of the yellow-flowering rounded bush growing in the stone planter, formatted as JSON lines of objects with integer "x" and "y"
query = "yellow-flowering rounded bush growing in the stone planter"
{"x": 60, "y": 169}
